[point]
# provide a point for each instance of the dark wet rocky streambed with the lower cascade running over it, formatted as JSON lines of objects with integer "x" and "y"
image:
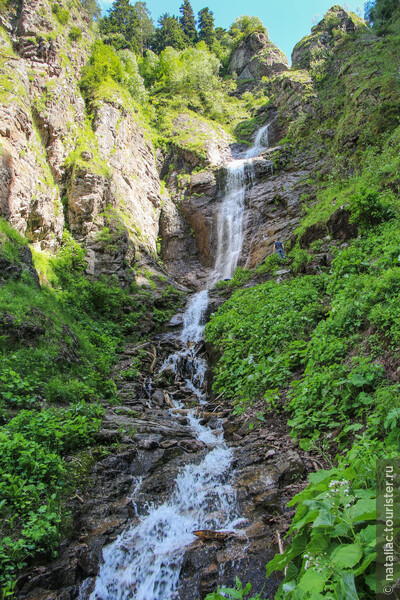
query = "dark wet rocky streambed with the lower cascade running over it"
{"x": 169, "y": 437}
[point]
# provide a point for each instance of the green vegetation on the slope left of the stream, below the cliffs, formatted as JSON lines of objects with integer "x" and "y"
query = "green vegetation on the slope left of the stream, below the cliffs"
{"x": 58, "y": 344}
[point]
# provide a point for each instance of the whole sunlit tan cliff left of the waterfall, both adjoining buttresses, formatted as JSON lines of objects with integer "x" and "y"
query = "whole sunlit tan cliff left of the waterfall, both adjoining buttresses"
{"x": 57, "y": 170}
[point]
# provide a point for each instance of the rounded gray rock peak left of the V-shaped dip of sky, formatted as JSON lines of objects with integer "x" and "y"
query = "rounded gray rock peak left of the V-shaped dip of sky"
{"x": 257, "y": 57}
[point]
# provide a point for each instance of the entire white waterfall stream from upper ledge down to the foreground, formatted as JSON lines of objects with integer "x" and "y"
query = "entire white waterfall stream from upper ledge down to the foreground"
{"x": 145, "y": 561}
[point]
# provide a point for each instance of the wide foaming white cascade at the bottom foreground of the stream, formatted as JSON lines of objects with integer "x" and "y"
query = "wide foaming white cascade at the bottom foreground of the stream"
{"x": 144, "y": 562}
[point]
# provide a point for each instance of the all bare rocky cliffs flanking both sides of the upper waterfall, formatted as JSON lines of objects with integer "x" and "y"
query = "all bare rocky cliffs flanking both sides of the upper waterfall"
{"x": 101, "y": 178}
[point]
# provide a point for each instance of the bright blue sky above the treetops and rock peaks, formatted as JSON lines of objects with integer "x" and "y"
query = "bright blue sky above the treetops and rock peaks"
{"x": 287, "y": 20}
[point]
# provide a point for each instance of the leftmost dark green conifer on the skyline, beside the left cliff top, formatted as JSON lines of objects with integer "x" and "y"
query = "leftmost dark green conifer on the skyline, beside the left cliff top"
{"x": 123, "y": 20}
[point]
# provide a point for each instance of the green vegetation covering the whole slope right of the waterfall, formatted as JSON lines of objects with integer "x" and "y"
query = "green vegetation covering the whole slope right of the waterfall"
{"x": 322, "y": 347}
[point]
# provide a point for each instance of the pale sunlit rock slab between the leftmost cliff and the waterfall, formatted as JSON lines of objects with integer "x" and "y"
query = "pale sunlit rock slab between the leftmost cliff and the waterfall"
{"x": 116, "y": 212}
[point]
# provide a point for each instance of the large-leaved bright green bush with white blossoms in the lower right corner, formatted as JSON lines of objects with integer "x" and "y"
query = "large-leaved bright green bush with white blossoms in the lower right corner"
{"x": 332, "y": 552}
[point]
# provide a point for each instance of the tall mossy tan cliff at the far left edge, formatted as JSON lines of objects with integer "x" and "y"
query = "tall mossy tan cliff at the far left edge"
{"x": 41, "y": 98}
